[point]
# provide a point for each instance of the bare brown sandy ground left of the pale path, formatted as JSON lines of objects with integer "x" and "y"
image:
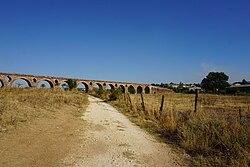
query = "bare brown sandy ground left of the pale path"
{"x": 42, "y": 142}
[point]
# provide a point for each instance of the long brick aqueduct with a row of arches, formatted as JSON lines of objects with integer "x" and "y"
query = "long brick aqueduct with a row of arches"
{"x": 8, "y": 79}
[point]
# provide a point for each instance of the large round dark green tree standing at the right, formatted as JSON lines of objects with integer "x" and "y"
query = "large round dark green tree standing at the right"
{"x": 215, "y": 82}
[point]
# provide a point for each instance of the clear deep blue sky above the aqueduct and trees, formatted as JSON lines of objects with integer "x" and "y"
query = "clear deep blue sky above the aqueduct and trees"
{"x": 142, "y": 41}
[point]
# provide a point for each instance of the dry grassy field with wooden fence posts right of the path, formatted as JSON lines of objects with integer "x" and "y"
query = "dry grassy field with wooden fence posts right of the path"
{"x": 217, "y": 135}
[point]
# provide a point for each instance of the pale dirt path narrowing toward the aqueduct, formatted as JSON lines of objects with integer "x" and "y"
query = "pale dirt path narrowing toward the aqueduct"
{"x": 112, "y": 140}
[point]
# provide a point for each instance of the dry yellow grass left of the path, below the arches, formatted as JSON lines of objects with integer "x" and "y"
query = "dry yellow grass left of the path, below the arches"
{"x": 20, "y": 105}
